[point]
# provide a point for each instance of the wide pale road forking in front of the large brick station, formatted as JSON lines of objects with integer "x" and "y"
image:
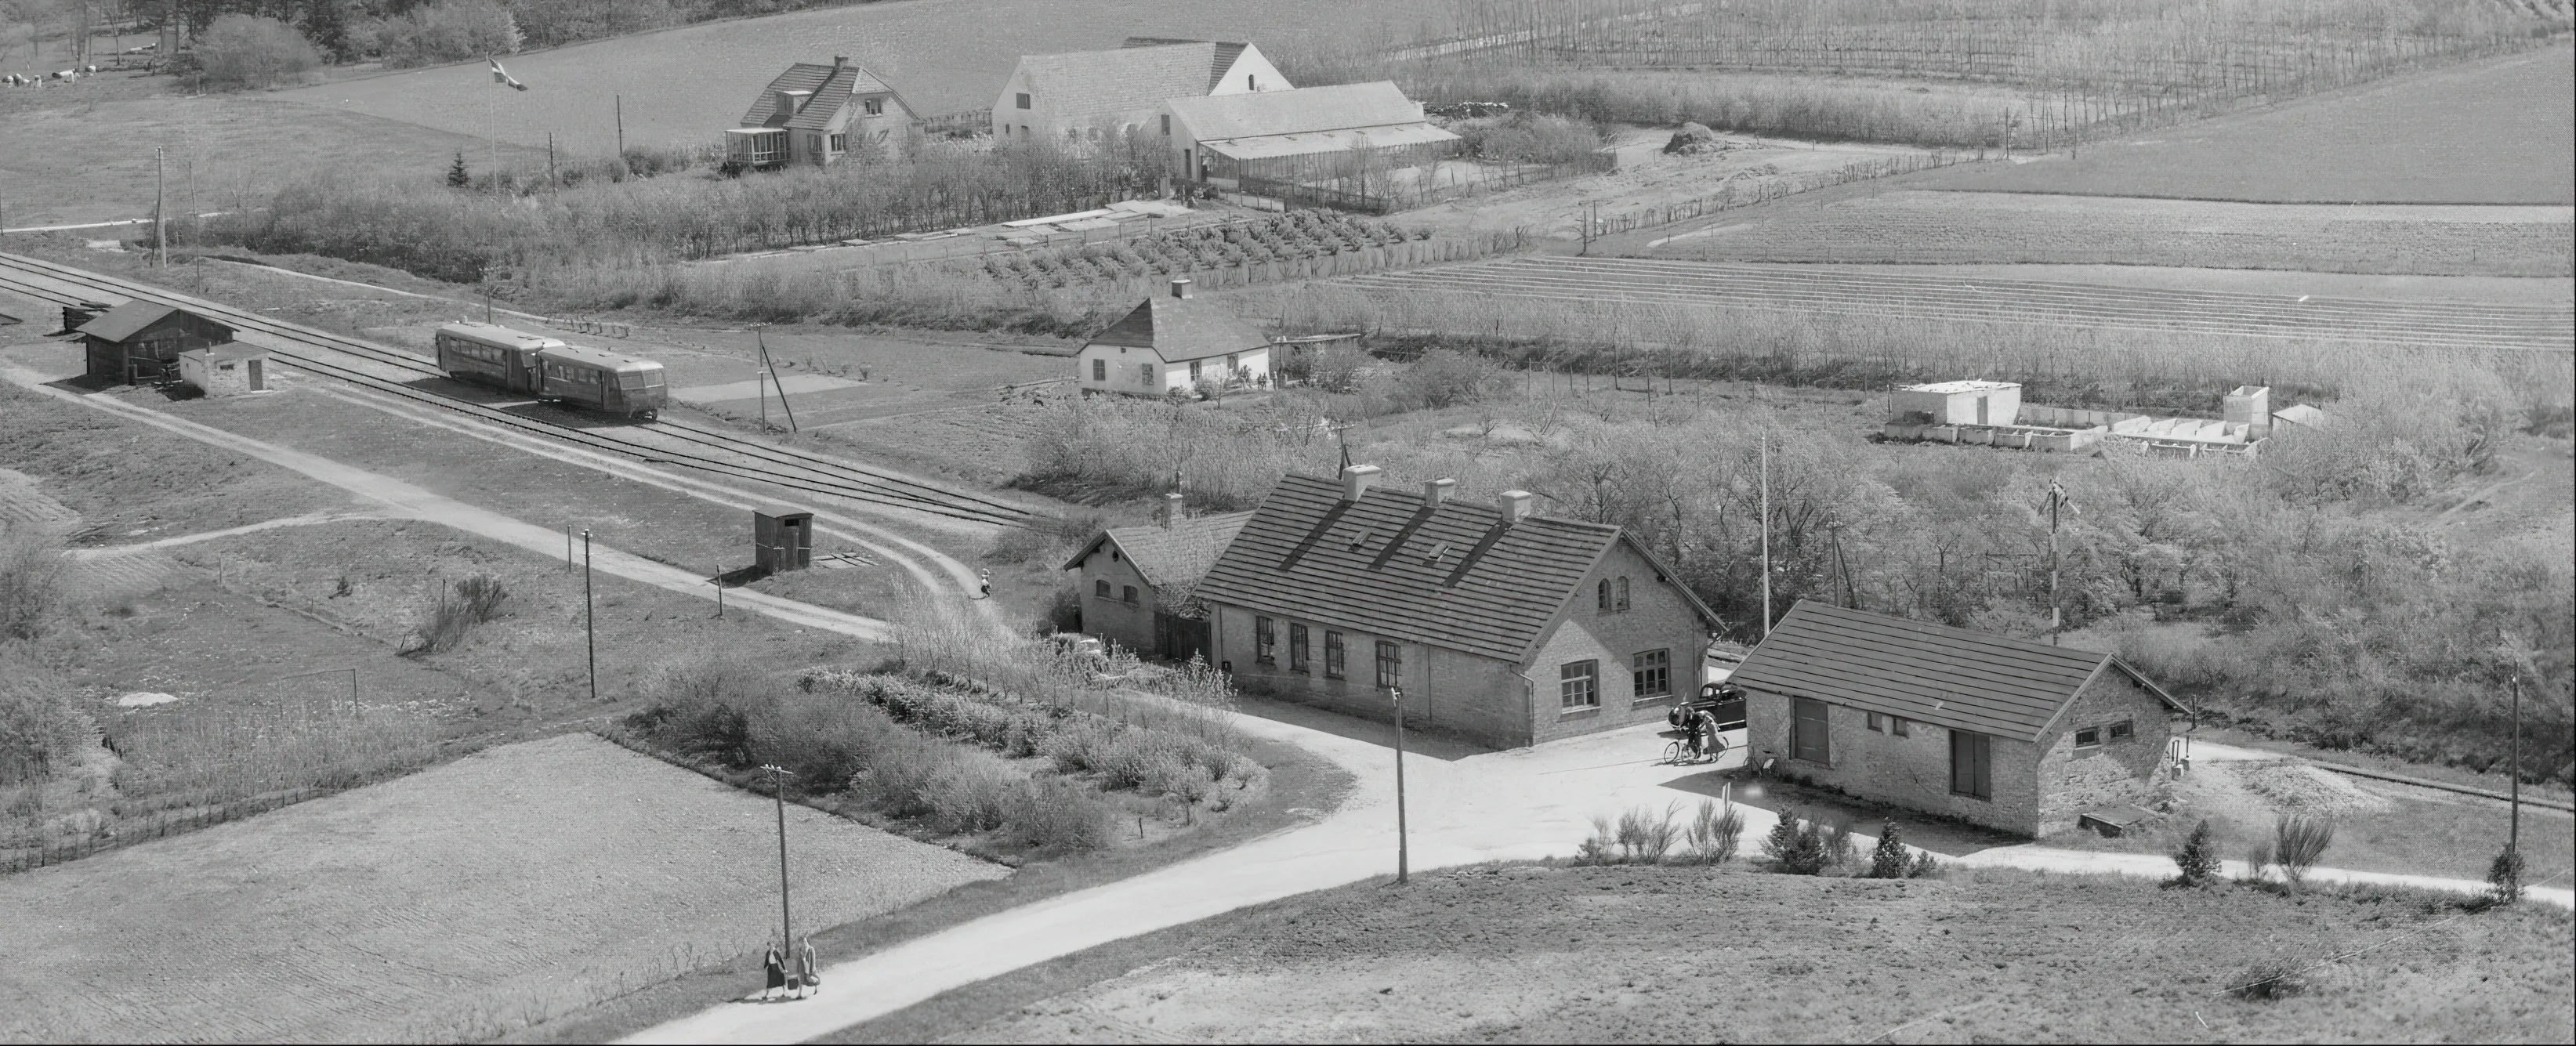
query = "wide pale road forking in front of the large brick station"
{"x": 1464, "y": 808}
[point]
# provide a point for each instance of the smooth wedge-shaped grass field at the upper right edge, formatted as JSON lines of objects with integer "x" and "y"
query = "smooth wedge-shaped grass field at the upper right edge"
{"x": 2490, "y": 133}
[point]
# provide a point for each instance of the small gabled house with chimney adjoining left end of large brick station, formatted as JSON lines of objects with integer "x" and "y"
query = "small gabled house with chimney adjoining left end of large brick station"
{"x": 1140, "y": 584}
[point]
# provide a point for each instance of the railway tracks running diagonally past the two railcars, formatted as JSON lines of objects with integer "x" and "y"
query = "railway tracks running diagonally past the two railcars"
{"x": 674, "y": 444}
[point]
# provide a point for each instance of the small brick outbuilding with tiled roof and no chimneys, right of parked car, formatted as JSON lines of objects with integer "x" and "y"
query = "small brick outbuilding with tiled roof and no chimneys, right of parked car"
{"x": 1993, "y": 730}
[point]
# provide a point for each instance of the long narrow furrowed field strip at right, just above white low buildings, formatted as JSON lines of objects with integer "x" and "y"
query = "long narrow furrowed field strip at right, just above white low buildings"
{"x": 1959, "y": 298}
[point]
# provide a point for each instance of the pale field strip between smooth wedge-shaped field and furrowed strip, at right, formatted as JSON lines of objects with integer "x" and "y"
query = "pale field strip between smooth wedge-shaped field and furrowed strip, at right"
{"x": 2101, "y": 231}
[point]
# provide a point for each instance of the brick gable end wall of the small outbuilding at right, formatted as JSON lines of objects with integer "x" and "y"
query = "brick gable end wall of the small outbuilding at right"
{"x": 2116, "y": 772}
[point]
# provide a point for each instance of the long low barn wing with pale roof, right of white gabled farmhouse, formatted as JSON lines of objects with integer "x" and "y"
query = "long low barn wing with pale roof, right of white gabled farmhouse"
{"x": 1302, "y": 135}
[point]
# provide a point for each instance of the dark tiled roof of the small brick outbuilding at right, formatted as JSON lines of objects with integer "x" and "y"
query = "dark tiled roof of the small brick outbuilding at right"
{"x": 1926, "y": 671}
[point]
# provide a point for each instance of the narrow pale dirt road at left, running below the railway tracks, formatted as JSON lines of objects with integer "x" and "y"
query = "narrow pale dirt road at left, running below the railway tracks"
{"x": 411, "y": 501}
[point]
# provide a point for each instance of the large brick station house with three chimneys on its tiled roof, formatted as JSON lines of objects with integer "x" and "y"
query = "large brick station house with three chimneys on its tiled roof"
{"x": 1493, "y": 622}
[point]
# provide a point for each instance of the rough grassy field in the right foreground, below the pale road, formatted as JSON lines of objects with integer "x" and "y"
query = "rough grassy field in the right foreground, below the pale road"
{"x": 1732, "y": 955}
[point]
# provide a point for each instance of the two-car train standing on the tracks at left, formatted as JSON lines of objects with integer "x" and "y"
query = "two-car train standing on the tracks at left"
{"x": 553, "y": 370}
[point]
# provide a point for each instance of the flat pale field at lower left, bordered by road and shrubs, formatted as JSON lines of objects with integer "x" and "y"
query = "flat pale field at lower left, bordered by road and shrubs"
{"x": 411, "y": 911}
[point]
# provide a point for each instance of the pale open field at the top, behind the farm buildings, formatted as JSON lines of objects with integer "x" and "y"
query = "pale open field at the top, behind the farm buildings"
{"x": 687, "y": 86}
